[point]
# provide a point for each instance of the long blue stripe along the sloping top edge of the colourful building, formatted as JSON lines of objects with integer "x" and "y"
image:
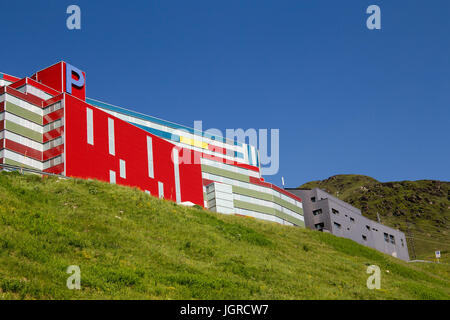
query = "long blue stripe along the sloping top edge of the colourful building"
{"x": 158, "y": 121}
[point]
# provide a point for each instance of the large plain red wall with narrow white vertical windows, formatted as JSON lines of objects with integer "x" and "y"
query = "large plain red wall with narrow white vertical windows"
{"x": 94, "y": 161}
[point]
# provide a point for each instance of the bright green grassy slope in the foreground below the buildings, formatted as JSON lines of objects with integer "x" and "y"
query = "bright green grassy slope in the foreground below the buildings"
{"x": 132, "y": 246}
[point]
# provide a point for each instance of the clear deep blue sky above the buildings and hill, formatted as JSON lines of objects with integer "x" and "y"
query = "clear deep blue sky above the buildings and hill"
{"x": 346, "y": 99}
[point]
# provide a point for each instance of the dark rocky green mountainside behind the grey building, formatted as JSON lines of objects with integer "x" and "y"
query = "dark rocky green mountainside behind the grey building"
{"x": 421, "y": 208}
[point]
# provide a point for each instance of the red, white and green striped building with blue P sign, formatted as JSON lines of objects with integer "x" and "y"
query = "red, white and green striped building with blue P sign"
{"x": 48, "y": 124}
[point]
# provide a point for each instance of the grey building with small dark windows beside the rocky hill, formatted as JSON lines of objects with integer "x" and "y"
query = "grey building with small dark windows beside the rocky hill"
{"x": 323, "y": 212}
